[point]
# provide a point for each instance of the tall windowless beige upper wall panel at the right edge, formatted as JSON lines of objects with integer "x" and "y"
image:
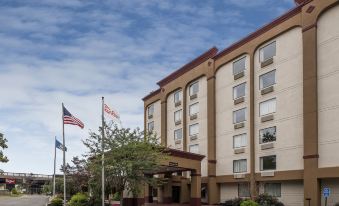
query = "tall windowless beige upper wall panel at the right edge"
{"x": 328, "y": 85}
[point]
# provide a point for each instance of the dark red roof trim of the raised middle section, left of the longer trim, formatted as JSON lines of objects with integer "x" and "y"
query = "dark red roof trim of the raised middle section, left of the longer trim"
{"x": 191, "y": 65}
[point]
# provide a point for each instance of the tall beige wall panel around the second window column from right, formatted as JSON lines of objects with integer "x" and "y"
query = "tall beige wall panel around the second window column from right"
{"x": 224, "y": 118}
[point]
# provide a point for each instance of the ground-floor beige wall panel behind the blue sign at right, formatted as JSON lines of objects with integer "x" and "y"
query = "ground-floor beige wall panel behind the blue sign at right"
{"x": 333, "y": 184}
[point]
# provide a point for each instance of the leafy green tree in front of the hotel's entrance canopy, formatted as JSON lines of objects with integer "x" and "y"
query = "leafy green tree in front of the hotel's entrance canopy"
{"x": 129, "y": 154}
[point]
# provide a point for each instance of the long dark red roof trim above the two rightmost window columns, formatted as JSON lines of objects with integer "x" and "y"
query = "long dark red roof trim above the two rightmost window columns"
{"x": 262, "y": 30}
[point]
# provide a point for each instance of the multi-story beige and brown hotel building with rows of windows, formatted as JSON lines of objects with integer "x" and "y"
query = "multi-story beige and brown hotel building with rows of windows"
{"x": 264, "y": 112}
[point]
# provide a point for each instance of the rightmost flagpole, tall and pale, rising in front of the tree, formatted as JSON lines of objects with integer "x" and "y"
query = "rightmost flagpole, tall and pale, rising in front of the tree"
{"x": 103, "y": 154}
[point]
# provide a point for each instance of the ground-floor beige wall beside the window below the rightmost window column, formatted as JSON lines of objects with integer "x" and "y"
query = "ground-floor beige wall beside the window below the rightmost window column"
{"x": 292, "y": 192}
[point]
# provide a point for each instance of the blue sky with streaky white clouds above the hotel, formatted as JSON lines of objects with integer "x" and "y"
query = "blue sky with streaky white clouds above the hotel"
{"x": 76, "y": 51}
